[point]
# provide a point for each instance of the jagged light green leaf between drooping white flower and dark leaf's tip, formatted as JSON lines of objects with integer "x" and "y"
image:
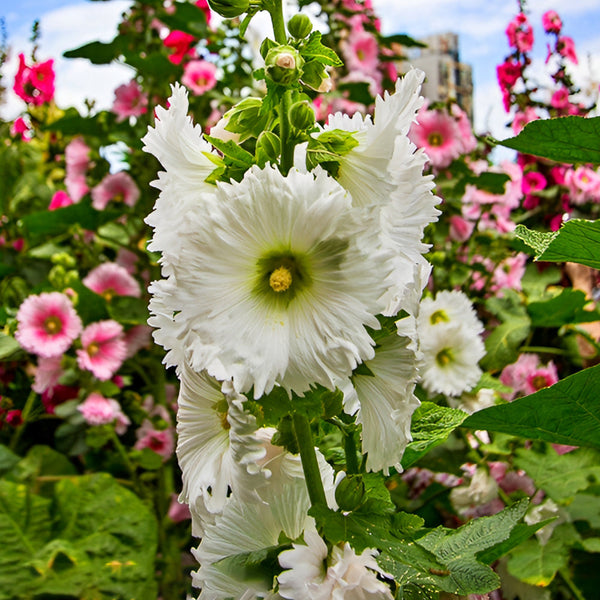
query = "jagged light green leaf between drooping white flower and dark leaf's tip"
{"x": 431, "y": 426}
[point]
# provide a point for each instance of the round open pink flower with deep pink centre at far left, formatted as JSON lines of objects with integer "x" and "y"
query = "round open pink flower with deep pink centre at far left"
{"x": 48, "y": 324}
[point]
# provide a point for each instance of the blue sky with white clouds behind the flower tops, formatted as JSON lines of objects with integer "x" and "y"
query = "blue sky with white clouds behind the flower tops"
{"x": 69, "y": 23}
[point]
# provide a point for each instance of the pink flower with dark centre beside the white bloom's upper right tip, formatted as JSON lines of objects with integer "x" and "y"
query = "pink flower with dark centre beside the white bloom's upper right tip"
{"x": 437, "y": 133}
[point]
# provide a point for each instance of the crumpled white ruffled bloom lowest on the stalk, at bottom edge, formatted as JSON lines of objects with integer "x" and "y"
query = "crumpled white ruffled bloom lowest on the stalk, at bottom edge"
{"x": 311, "y": 575}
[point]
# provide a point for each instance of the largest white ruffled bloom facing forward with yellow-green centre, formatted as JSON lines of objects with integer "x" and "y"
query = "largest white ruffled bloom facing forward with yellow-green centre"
{"x": 286, "y": 289}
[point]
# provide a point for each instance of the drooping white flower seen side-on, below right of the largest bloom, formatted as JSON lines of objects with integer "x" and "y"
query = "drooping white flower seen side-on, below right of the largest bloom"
{"x": 382, "y": 394}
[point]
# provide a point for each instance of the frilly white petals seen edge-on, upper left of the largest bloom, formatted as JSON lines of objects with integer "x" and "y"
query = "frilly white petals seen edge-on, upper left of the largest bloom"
{"x": 179, "y": 146}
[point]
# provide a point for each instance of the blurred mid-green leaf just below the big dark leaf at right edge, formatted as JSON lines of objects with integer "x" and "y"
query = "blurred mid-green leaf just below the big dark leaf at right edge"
{"x": 561, "y": 477}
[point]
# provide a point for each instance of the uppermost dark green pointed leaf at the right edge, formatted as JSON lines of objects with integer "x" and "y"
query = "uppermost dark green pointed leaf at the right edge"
{"x": 564, "y": 139}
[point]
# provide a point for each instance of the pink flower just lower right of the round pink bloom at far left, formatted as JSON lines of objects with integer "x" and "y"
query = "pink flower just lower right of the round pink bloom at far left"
{"x": 103, "y": 349}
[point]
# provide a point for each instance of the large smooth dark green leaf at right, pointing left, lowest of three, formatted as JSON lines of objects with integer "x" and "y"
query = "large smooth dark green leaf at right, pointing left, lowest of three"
{"x": 567, "y": 412}
